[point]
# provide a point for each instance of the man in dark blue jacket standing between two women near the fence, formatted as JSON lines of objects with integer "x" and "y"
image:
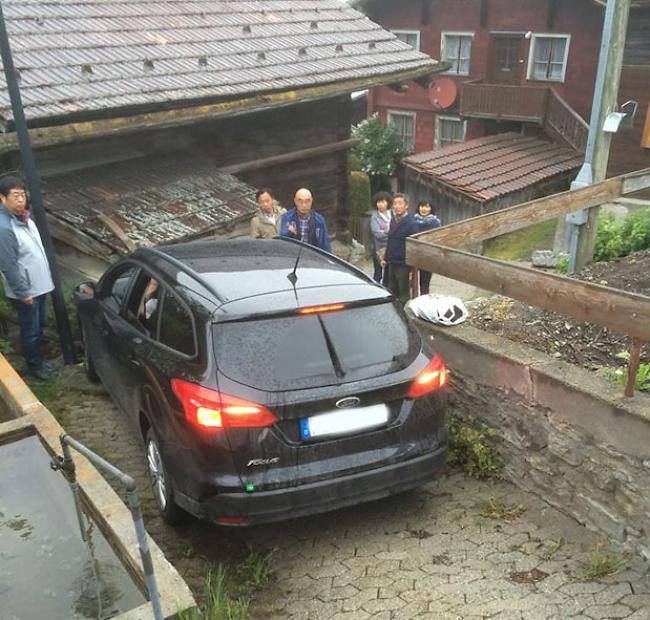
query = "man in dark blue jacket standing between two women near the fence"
{"x": 402, "y": 225}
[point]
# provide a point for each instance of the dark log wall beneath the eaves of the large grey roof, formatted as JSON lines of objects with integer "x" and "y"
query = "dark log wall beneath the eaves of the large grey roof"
{"x": 238, "y": 139}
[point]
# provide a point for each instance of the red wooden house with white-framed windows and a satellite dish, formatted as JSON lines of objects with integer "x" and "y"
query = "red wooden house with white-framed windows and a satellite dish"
{"x": 527, "y": 66}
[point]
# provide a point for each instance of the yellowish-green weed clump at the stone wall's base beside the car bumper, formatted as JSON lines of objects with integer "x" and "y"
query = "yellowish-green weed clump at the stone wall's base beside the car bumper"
{"x": 470, "y": 447}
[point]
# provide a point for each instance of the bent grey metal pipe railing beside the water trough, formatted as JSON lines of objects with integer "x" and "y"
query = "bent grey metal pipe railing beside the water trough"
{"x": 134, "y": 506}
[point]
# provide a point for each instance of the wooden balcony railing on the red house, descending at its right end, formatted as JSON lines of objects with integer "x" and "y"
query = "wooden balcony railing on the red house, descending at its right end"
{"x": 526, "y": 104}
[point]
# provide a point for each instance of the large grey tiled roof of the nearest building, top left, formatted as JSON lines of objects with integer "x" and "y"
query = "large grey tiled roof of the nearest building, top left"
{"x": 79, "y": 56}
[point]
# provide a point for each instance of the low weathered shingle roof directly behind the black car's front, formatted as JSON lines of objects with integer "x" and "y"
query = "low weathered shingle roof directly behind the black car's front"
{"x": 156, "y": 201}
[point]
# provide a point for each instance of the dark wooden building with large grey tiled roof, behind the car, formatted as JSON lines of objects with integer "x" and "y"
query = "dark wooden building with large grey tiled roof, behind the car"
{"x": 154, "y": 121}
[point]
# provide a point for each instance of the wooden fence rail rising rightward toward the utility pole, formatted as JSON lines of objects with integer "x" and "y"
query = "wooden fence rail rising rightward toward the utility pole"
{"x": 467, "y": 232}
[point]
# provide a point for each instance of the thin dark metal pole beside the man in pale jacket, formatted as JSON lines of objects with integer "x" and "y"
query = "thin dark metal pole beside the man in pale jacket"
{"x": 35, "y": 196}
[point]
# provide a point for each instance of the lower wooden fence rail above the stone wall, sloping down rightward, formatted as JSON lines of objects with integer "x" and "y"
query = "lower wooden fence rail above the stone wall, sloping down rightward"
{"x": 623, "y": 312}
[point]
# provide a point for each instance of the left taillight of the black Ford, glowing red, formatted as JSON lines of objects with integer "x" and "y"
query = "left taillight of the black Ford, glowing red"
{"x": 208, "y": 408}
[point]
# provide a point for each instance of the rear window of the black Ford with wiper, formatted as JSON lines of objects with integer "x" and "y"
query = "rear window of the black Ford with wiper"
{"x": 300, "y": 352}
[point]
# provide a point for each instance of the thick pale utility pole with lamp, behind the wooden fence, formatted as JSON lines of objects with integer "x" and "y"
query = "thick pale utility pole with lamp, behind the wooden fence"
{"x": 582, "y": 224}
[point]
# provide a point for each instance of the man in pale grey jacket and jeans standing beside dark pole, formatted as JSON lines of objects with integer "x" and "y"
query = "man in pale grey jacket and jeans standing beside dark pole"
{"x": 25, "y": 272}
